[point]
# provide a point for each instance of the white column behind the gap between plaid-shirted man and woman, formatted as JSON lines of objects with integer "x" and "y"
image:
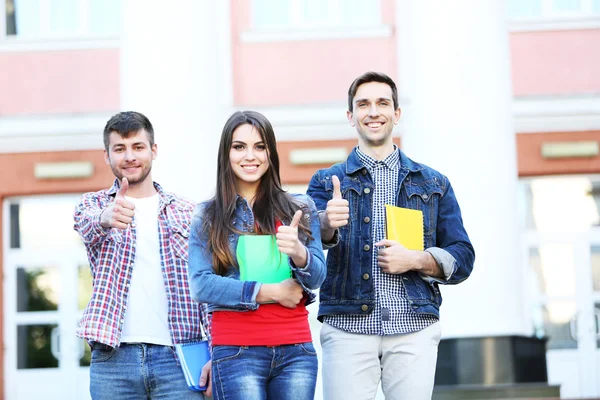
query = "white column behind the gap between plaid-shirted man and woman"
{"x": 175, "y": 69}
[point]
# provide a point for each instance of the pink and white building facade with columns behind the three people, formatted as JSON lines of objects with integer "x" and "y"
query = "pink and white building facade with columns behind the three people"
{"x": 501, "y": 96}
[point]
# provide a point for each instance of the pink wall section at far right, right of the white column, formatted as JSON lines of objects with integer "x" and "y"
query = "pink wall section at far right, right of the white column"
{"x": 555, "y": 63}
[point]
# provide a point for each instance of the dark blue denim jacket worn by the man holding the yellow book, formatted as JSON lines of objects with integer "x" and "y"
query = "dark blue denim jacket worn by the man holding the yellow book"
{"x": 348, "y": 288}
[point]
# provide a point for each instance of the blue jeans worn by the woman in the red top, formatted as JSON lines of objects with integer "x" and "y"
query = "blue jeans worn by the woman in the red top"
{"x": 259, "y": 372}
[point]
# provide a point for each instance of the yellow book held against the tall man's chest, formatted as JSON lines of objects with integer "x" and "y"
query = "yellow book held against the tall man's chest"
{"x": 404, "y": 226}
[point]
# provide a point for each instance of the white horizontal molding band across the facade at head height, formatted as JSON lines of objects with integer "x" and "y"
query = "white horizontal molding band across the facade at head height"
{"x": 291, "y": 123}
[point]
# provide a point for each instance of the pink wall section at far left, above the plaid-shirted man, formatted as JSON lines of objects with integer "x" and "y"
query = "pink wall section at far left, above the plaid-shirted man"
{"x": 59, "y": 82}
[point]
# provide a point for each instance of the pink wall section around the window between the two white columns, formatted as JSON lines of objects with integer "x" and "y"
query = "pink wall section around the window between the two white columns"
{"x": 307, "y": 71}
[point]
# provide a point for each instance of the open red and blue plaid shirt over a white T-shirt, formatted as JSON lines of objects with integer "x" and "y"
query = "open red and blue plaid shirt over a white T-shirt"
{"x": 111, "y": 253}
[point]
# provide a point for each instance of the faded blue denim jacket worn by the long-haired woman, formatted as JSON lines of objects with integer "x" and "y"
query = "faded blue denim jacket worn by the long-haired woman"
{"x": 228, "y": 292}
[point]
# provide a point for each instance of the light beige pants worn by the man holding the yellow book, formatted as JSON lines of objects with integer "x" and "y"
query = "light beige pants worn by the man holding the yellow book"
{"x": 354, "y": 364}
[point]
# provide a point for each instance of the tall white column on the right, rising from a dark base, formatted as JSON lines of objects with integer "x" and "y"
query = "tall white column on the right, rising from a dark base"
{"x": 454, "y": 77}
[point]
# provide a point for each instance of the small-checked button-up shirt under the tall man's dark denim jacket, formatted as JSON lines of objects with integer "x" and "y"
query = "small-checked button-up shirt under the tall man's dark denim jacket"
{"x": 392, "y": 313}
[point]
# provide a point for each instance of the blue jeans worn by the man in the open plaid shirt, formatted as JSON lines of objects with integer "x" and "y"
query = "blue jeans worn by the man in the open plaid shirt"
{"x": 137, "y": 371}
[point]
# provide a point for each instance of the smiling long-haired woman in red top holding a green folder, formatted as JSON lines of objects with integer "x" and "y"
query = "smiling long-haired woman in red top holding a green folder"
{"x": 257, "y": 314}
